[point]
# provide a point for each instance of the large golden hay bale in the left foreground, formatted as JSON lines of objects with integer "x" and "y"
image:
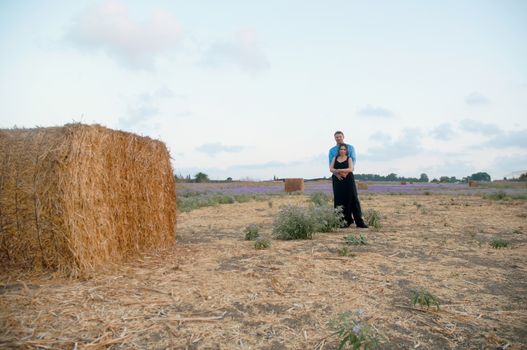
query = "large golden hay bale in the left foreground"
{"x": 76, "y": 197}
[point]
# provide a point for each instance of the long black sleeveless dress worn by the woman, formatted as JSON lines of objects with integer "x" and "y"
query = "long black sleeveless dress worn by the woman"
{"x": 345, "y": 194}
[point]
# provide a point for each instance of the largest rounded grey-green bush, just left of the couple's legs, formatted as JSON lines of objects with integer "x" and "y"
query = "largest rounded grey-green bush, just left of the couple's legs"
{"x": 293, "y": 222}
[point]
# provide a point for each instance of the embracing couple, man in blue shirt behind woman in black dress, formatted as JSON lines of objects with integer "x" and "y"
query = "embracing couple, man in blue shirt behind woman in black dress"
{"x": 341, "y": 162}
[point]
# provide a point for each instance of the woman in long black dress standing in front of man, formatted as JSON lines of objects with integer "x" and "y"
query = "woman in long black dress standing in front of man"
{"x": 344, "y": 191}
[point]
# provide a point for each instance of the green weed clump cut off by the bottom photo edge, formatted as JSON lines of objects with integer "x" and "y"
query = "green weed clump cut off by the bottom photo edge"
{"x": 353, "y": 330}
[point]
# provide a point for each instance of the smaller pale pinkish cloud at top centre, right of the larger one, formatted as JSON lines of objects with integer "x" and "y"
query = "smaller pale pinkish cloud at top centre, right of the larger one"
{"x": 244, "y": 52}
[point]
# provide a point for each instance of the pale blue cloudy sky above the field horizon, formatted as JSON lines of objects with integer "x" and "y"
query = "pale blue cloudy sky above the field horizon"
{"x": 256, "y": 89}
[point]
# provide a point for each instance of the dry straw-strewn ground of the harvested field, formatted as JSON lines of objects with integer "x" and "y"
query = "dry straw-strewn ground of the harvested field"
{"x": 215, "y": 291}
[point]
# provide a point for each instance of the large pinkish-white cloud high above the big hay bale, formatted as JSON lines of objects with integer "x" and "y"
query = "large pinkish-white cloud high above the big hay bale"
{"x": 108, "y": 27}
